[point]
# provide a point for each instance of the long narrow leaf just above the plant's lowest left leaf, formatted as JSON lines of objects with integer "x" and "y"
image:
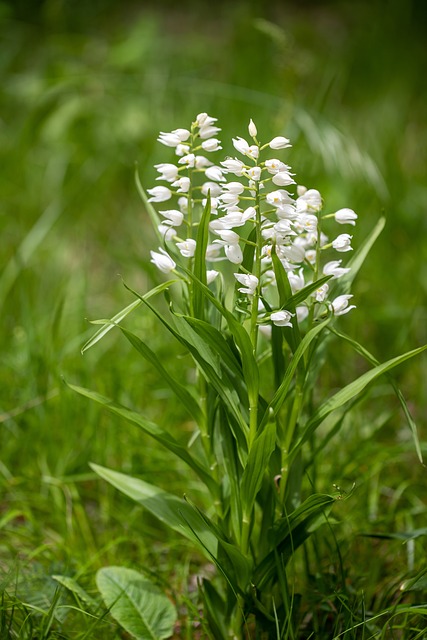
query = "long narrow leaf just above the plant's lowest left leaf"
{"x": 153, "y": 430}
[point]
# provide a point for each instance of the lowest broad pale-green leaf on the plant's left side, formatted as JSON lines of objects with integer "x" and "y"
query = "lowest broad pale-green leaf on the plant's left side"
{"x": 168, "y": 508}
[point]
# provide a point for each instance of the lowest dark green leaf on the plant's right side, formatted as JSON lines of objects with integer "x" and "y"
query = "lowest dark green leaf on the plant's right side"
{"x": 289, "y": 533}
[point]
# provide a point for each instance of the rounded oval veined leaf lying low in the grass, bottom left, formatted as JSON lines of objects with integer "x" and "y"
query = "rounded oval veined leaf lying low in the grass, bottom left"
{"x": 137, "y": 604}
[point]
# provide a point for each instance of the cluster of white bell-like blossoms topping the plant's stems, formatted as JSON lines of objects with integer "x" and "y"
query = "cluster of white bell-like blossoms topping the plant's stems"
{"x": 252, "y": 205}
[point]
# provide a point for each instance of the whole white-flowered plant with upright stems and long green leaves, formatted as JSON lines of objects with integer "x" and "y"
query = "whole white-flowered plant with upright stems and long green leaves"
{"x": 255, "y": 287}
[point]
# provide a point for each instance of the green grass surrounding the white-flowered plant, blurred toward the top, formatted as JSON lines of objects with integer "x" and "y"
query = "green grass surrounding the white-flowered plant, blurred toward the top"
{"x": 82, "y": 99}
